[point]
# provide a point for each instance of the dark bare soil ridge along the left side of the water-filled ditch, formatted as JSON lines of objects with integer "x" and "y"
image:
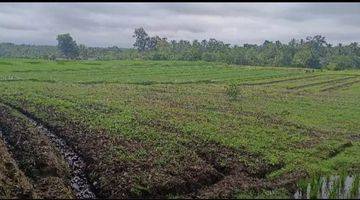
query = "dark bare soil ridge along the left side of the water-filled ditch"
{"x": 35, "y": 156}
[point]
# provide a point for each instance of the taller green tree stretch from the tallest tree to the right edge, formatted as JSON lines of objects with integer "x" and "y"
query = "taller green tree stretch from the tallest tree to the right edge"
{"x": 311, "y": 52}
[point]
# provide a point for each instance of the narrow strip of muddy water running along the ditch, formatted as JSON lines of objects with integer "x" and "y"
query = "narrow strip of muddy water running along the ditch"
{"x": 79, "y": 182}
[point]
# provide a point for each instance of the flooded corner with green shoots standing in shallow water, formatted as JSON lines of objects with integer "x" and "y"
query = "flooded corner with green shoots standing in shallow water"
{"x": 338, "y": 187}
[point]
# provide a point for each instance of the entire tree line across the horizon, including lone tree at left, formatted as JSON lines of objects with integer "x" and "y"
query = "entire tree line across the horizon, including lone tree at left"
{"x": 312, "y": 52}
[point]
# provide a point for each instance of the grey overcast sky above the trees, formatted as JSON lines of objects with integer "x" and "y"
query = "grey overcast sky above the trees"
{"x": 109, "y": 24}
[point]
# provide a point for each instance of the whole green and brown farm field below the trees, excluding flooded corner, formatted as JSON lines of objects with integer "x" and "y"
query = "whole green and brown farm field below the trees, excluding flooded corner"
{"x": 120, "y": 129}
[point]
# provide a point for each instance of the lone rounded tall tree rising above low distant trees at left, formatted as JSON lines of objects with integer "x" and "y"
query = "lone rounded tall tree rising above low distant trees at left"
{"x": 67, "y": 46}
